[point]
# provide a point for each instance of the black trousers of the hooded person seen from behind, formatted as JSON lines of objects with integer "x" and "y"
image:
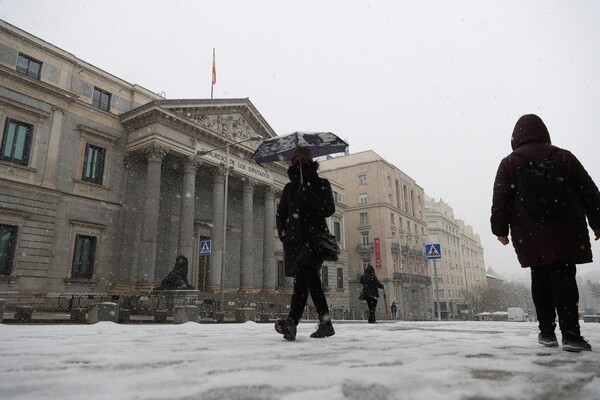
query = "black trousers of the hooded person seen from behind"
{"x": 554, "y": 290}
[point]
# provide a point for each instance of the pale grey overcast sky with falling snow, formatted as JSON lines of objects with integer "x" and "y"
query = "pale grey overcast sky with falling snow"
{"x": 434, "y": 87}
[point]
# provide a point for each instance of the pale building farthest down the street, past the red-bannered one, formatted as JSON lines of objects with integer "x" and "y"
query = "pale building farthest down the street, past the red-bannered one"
{"x": 461, "y": 276}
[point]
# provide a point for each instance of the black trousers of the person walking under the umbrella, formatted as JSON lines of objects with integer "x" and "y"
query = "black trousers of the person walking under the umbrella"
{"x": 306, "y": 281}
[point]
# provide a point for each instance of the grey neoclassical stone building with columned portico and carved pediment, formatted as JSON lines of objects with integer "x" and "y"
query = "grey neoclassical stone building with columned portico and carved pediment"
{"x": 103, "y": 183}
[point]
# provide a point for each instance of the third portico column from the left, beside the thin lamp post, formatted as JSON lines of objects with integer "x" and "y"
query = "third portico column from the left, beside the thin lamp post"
{"x": 216, "y": 233}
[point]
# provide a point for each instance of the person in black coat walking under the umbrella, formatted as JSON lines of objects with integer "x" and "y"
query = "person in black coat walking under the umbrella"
{"x": 305, "y": 203}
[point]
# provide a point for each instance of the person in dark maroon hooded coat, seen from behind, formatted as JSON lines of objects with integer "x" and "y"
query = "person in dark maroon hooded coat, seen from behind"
{"x": 551, "y": 246}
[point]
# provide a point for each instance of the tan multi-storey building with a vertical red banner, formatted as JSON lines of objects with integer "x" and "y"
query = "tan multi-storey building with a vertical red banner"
{"x": 385, "y": 227}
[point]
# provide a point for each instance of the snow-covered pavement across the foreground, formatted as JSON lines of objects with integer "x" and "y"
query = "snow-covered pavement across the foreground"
{"x": 400, "y": 360}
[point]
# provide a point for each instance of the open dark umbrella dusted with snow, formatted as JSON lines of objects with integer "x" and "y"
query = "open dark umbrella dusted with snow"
{"x": 282, "y": 148}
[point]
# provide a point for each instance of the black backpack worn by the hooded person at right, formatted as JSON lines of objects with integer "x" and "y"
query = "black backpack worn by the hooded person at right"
{"x": 543, "y": 187}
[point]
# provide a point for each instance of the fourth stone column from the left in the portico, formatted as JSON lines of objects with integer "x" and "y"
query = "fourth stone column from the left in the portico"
{"x": 246, "y": 259}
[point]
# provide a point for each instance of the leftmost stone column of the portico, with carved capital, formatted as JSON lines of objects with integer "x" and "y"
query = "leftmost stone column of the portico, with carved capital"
{"x": 155, "y": 155}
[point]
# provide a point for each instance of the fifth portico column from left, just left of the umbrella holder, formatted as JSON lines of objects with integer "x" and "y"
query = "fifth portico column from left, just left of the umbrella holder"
{"x": 269, "y": 265}
